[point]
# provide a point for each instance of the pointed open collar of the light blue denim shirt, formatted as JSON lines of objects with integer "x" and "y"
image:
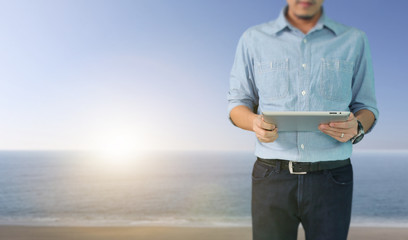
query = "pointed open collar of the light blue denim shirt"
{"x": 282, "y": 23}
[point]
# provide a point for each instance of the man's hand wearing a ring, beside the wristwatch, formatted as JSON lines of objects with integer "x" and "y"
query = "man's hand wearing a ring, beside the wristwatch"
{"x": 341, "y": 131}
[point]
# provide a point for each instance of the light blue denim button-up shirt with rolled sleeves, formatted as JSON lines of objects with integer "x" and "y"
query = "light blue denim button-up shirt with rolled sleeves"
{"x": 278, "y": 68}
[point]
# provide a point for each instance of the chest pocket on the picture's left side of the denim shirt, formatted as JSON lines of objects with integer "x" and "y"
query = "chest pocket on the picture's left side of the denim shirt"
{"x": 272, "y": 79}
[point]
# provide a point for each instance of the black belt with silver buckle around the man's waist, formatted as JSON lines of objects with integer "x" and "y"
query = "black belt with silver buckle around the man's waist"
{"x": 304, "y": 167}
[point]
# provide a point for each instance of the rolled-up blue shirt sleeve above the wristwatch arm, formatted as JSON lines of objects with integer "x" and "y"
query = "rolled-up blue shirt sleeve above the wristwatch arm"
{"x": 363, "y": 87}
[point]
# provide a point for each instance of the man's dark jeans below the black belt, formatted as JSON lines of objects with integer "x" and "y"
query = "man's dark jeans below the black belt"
{"x": 320, "y": 200}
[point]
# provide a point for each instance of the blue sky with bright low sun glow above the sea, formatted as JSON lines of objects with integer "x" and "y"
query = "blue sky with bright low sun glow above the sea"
{"x": 154, "y": 74}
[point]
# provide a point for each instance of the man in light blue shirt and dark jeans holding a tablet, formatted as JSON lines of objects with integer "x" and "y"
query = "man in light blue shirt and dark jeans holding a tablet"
{"x": 302, "y": 61}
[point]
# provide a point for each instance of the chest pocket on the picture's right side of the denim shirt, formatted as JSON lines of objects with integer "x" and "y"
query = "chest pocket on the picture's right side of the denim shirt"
{"x": 336, "y": 78}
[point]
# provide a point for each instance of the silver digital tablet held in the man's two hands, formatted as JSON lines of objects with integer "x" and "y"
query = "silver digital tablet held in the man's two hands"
{"x": 303, "y": 121}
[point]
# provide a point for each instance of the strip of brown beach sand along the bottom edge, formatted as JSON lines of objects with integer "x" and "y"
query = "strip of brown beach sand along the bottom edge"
{"x": 169, "y": 233}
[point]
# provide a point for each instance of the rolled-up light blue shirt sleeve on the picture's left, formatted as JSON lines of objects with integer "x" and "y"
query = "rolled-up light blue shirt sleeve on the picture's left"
{"x": 242, "y": 89}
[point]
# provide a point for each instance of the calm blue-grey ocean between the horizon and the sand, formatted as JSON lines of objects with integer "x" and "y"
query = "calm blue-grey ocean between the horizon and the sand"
{"x": 63, "y": 188}
